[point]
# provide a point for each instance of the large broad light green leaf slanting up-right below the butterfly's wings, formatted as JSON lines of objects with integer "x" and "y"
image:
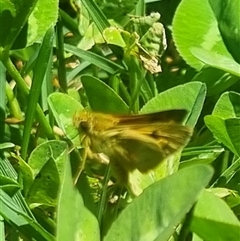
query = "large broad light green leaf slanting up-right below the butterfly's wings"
{"x": 155, "y": 214}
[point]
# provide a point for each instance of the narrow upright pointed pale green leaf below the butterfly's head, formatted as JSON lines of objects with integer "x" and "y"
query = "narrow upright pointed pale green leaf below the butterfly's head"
{"x": 74, "y": 221}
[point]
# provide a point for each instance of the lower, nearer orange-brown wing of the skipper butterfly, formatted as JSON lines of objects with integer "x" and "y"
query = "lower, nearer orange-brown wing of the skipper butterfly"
{"x": 145, "y": 148}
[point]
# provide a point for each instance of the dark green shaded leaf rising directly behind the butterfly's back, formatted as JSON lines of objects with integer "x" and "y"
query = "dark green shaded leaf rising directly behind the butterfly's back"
{"x": 101, "y": 97}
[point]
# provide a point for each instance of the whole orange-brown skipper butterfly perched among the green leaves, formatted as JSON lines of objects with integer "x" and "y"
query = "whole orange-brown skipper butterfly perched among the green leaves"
{"x": 133, "y": 141}
